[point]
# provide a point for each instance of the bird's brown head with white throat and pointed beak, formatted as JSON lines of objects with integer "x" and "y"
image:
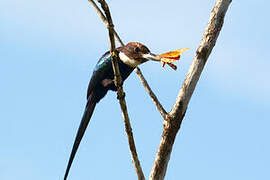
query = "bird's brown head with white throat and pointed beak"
{"x": 135, "y": 53}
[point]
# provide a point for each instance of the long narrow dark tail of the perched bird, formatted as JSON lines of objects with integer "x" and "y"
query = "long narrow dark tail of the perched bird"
{"x": 84, "y": 122}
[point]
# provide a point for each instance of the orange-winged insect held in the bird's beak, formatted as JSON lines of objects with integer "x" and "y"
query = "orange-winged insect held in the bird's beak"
{"x": 170, "y": 57}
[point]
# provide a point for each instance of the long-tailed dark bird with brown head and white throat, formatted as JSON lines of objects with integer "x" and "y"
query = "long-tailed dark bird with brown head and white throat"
{"x": 129, "y": 57}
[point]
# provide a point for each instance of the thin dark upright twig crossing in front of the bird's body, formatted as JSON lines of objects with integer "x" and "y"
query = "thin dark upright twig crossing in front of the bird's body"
{"x": 120, "y": 92}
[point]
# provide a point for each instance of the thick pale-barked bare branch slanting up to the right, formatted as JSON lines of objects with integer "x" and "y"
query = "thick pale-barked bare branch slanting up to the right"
{"x": 177, "y": 114}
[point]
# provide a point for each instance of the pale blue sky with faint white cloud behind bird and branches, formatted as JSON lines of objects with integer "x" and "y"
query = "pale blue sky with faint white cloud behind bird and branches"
{"x": 47, "y": 53}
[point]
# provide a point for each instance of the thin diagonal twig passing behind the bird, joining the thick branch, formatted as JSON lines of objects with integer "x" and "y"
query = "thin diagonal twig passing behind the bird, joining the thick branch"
{"x": 137, "y": 70}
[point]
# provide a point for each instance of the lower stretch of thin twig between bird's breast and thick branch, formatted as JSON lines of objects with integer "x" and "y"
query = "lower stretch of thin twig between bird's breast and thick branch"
{"x": 152, "y": 95}
